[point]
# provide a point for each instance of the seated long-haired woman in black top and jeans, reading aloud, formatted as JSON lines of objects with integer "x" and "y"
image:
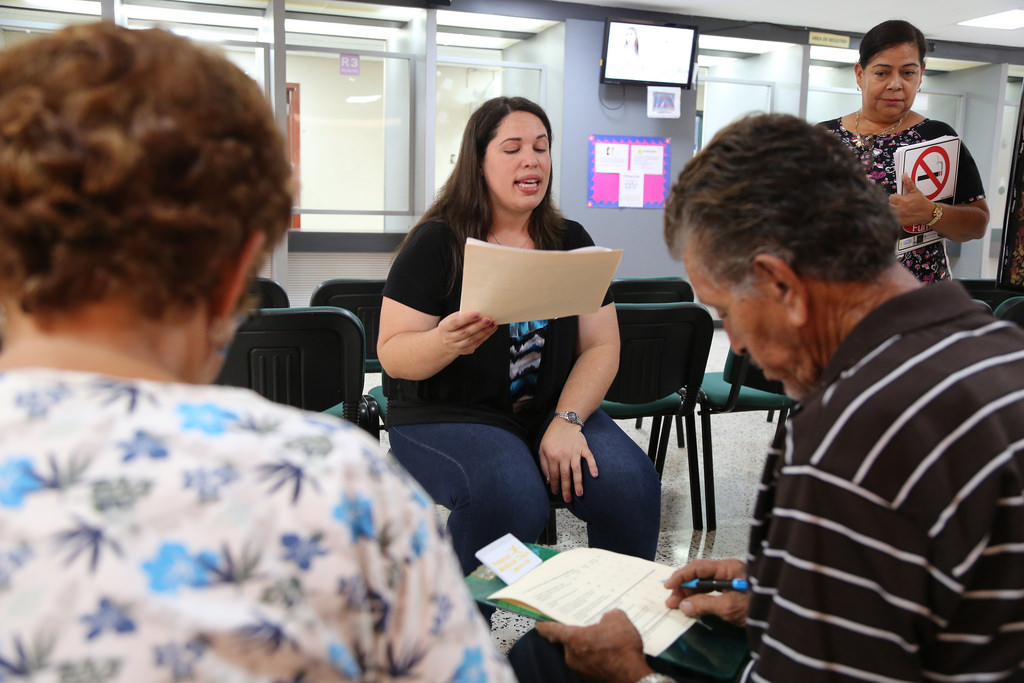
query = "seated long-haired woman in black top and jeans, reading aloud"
{"x": 487, "y": 417}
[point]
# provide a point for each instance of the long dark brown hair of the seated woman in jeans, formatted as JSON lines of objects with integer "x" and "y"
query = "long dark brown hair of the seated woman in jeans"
{"x": 464, "y": 202}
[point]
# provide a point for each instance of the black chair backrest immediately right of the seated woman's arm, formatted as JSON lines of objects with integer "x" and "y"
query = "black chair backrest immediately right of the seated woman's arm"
{"x": 664, "y": 349}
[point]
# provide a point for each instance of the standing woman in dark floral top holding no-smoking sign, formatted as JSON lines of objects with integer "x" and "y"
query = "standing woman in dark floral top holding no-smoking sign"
{"x": 889, "y": 76}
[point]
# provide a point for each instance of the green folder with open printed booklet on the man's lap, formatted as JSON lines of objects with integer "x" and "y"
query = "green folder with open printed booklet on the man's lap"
{"x": 709, "y": 647}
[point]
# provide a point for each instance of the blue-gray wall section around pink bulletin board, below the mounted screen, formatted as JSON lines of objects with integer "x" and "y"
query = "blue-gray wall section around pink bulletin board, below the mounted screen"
{"x": 590, "y": 108}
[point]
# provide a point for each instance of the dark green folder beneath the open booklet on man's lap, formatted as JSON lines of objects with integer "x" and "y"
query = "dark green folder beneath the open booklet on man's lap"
{"x": 711, "y": 648}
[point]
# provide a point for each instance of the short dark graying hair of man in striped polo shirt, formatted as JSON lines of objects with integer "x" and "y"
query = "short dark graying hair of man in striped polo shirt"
{"x": 774, "y": 184}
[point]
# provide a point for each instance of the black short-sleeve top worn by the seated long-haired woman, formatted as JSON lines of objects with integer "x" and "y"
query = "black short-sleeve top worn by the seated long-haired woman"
{"x": 478, "y": 388}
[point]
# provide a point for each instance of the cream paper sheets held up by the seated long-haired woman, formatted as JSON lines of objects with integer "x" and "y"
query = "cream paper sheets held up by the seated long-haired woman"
{"x": 513, "y": 285}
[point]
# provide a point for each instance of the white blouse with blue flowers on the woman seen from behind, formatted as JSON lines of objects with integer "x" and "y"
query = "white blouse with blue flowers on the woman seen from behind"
{"x": 160, "y": 532}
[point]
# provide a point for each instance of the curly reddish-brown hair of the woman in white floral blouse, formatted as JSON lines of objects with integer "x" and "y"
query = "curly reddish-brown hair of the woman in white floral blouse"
{"x": 134, "y": 164}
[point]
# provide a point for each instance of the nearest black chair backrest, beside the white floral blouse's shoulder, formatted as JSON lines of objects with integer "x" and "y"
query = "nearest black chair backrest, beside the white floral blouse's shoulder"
{"x": 307, "y": 358}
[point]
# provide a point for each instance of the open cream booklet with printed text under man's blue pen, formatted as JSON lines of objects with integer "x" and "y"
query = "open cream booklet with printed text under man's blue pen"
{"x": 578, "y": 586}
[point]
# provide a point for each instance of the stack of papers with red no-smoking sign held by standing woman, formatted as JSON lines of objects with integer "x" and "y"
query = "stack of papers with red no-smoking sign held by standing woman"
{"x": 932, "y": 165}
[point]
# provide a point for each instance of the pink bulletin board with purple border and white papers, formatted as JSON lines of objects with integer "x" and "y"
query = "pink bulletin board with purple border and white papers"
{"x": 628, "y": 173}
